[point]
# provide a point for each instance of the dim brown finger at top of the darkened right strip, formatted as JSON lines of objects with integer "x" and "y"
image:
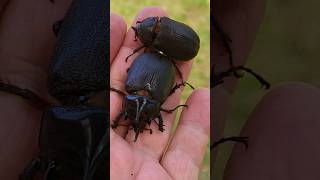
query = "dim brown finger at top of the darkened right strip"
{"x": 240, "y": 22}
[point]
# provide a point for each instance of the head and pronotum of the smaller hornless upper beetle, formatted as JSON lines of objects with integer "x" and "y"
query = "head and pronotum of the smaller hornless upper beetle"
{"x": 146, "y": 30}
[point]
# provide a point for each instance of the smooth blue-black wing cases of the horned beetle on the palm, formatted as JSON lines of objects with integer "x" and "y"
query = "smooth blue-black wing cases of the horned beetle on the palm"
{"x": 155, "y": 70}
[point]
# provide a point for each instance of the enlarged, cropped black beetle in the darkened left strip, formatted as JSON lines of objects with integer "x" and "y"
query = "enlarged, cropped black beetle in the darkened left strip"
{"x": 74, "y": 137}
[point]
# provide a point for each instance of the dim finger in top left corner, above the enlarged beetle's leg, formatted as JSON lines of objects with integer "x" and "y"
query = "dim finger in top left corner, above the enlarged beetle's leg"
{"x": 27, "y": 42}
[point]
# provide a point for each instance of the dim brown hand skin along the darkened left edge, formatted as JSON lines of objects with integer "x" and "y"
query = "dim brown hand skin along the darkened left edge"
{"x": 26, "y": 44}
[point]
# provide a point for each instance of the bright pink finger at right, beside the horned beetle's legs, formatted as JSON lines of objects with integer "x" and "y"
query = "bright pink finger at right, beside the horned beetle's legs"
{"x": 184, "y": 156}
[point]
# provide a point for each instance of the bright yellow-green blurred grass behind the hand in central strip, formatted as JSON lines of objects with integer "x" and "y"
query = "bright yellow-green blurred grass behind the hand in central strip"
{"x": 195, "y": 13}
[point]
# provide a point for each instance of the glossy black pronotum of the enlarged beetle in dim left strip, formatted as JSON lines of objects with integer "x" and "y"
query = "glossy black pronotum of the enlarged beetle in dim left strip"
{"x": 78, "y": 128}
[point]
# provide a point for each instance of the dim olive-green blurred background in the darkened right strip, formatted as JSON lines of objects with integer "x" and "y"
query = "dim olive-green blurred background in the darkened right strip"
{"x": 286, "y": 49}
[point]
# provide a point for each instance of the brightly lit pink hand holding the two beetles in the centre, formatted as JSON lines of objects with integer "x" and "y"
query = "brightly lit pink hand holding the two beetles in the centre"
{"x": 148, "y": 158}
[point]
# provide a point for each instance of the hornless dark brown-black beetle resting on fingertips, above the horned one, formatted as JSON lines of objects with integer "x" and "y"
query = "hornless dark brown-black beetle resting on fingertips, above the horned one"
{"x": 172, "y": 38}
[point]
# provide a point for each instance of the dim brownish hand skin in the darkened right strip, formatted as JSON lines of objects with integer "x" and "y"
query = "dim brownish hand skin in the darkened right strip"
{"x": 283, "y": 129}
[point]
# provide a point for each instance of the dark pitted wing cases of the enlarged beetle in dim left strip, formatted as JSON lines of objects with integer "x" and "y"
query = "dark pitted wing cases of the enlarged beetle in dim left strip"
{"x": 79, "y": 64}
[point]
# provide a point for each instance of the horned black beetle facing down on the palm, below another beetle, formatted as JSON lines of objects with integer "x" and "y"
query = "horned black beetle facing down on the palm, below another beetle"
{"x": 150, "y": 81}
